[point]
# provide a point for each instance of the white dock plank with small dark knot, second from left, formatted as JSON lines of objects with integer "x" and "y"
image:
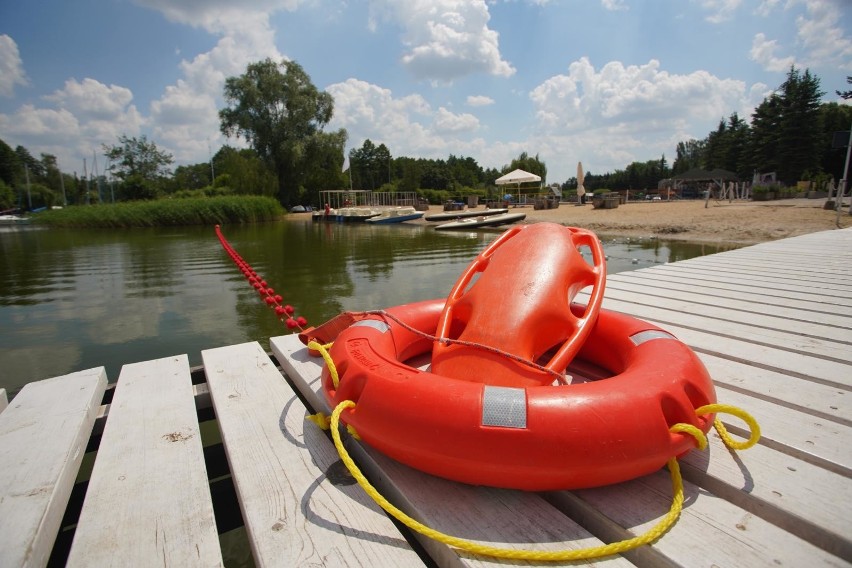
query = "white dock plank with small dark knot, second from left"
{"x": 148, "y": 501}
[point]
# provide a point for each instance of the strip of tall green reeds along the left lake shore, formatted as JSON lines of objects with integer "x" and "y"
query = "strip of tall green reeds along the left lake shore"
{"x": 165, "y": 212}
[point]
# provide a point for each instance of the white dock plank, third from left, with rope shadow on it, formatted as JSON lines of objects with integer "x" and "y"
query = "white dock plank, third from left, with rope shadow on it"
{"x": 299, "y": 505}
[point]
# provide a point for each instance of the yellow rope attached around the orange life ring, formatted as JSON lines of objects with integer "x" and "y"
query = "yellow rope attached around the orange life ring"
{"x": 648, "y": 537}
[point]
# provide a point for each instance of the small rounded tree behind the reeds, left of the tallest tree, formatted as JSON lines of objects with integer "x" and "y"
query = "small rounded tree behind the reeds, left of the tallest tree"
{"x": 140, "y": 165}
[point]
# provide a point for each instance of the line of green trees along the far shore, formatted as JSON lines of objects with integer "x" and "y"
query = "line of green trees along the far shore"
{"x": 282, "y": 115}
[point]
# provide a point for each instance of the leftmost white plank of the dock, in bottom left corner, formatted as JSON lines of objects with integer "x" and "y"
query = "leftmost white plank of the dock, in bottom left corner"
{"x": 43, "y": 436}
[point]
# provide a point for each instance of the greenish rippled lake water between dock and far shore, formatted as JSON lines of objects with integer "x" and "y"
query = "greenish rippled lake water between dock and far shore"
{"x": 76, "y": 299}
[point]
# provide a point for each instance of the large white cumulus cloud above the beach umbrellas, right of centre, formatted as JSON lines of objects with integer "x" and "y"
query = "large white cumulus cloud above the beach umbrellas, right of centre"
{"x": 622, "y": 114}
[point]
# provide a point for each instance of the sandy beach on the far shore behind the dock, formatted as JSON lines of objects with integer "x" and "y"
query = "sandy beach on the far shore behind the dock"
{"x": 743, "y": 222}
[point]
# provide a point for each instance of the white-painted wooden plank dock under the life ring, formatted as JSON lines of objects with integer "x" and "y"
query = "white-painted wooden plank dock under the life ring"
{"x": 180, "y": 468}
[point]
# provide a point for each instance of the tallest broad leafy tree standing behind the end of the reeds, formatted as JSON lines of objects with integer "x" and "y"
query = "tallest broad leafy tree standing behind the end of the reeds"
{"x": 277, "y": 109}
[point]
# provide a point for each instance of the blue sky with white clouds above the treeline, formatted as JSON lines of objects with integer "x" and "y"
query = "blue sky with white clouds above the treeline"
{"x": 605, "y": 82}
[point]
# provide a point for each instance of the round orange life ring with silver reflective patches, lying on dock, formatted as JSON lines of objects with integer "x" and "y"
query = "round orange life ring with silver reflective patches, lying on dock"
{"x": 540, "y": 437}
